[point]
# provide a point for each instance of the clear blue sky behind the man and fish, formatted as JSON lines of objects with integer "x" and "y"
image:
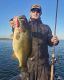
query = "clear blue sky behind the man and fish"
{"x": 11, "y": 8}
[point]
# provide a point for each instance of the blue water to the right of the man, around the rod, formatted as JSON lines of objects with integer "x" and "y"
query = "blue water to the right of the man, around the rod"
{"x": 59, "y": 54}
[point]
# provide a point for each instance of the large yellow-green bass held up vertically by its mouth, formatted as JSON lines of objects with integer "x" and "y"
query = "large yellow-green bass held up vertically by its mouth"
{"x": 22, "y": 41}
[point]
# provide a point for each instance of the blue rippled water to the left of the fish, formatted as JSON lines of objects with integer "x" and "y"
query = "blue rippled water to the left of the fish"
{"x": 8, "y": 66}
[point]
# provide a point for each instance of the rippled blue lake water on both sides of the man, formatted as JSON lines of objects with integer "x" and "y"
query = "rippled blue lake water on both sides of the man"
{"x": 9, "y": 66}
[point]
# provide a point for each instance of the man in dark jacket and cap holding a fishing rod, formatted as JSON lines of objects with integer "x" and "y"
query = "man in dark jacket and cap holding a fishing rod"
{"x": 38, "y": 63}
